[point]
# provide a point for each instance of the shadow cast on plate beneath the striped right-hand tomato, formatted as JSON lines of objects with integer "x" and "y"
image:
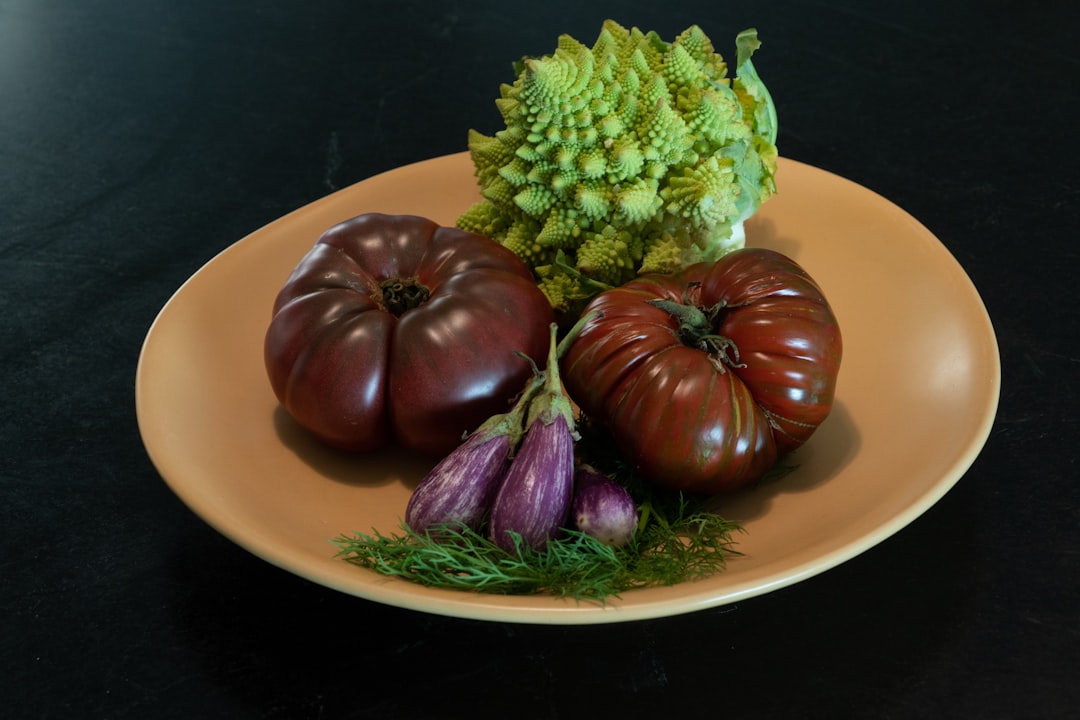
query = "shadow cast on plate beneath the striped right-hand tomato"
{"x": 825, "y": 456}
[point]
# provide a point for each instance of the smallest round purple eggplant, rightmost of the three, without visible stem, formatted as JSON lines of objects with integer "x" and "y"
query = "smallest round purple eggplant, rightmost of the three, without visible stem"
{"x": 603, "y": 508}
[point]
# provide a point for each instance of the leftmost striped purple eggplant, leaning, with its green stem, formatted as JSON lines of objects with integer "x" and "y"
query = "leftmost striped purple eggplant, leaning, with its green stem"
{"x": 461, "y": 490}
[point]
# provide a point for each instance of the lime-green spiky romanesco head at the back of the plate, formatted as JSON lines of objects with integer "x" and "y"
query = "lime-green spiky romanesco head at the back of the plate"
{"x": 633, "y": 156}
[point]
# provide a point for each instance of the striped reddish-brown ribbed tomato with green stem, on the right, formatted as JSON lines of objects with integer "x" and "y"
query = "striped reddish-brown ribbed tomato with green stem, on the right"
{"x": 707, "y": 377}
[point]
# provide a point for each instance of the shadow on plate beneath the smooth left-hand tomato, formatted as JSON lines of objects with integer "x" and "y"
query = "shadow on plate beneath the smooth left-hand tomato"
{"x": 390, "y": 465}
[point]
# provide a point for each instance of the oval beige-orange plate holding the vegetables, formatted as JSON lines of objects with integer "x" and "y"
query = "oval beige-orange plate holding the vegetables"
{"x": 916, "y": 400}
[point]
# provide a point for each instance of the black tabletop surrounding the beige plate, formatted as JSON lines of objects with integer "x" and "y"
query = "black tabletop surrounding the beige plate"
{"x": 139, "y": 140}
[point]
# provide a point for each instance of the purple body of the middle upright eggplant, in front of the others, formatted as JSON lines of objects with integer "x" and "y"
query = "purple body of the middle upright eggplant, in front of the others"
{"x": 535, "y": 497}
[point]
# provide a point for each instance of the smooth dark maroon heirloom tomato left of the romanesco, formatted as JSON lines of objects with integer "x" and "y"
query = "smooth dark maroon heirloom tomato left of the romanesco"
{"x": 395, "y": 329}
